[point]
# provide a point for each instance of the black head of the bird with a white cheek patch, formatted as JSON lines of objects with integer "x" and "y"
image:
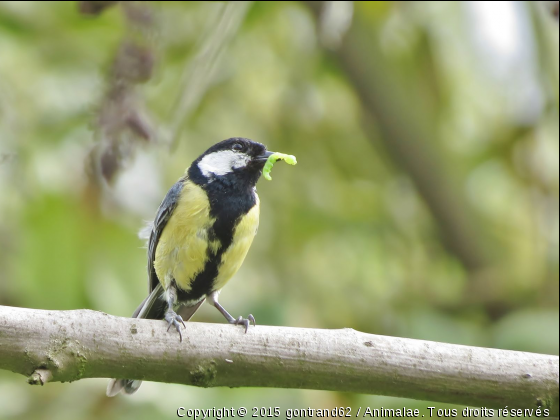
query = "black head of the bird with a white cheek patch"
{"x": 236, "y": 163}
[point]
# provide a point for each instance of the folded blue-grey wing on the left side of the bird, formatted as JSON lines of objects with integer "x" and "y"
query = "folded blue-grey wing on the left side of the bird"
{"x": 164, "y": 212}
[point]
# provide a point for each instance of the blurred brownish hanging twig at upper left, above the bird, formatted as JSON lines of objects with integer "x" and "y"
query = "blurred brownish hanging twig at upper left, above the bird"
{"x": 122, "y": 122}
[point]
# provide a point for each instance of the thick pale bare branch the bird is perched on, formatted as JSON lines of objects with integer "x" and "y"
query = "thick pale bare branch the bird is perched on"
{"x": 72, "y": 345}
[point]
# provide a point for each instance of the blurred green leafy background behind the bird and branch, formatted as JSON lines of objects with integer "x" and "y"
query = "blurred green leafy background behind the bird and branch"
{"x": 424, "y": 203}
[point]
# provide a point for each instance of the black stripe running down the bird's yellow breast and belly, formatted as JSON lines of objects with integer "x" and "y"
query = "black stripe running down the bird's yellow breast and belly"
{"x": 227, "y": 206}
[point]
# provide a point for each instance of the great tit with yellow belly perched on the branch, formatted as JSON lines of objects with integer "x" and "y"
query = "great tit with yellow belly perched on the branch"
{"x": 200, "y": 236}
